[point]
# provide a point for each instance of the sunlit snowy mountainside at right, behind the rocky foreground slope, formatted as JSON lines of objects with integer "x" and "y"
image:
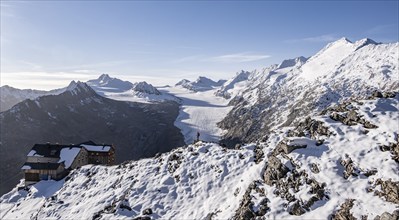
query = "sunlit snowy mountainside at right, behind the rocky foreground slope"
{"x": 281, "y": 94}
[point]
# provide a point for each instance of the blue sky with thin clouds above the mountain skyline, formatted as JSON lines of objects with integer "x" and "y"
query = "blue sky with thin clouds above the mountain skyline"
{"x": 46, "y": 44}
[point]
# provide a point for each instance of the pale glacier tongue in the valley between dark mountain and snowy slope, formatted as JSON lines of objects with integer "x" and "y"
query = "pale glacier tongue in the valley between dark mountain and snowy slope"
{"x": 199, "y": 112}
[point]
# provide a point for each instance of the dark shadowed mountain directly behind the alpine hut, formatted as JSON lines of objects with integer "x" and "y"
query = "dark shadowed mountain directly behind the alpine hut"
{"x": 79, "y": 114}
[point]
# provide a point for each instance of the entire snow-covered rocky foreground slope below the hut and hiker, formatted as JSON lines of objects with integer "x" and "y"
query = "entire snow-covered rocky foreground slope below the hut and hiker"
{"x": 341, "y": 163}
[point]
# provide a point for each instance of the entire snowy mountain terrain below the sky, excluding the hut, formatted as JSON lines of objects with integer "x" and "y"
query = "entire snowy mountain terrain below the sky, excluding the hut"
{"x": 307, "y": 138}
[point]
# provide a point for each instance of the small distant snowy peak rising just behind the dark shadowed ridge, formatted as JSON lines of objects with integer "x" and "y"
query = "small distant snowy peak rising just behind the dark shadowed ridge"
{"x": 105, "y": 83}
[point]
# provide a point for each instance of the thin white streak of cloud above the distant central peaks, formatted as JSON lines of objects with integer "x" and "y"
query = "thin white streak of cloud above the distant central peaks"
{"x": 239, "y": 58}
